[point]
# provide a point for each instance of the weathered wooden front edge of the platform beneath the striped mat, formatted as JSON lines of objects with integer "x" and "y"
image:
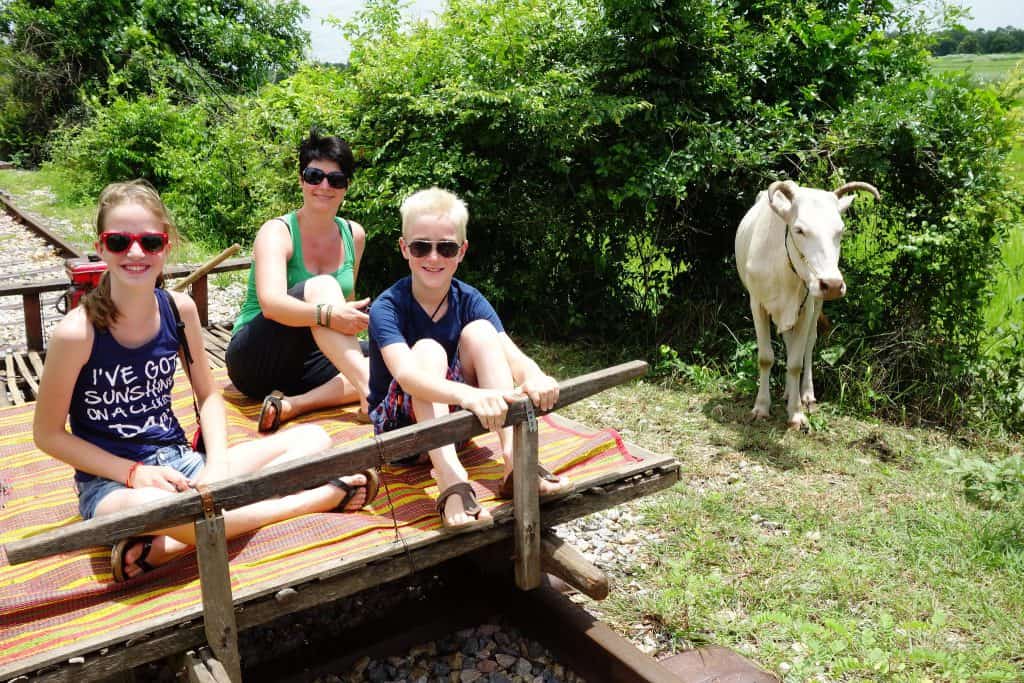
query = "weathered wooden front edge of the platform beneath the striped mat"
{"x": 349, "y": 576}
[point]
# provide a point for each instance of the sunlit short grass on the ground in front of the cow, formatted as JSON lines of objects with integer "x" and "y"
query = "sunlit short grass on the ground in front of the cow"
{"x": 847, "y": 554}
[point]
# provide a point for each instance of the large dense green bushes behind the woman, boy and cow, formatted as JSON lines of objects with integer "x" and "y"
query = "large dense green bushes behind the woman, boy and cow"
{"x": 608, "y": 150}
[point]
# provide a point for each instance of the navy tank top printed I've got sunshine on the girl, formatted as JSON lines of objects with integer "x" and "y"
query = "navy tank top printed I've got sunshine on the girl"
{"x": 125, "y": 394}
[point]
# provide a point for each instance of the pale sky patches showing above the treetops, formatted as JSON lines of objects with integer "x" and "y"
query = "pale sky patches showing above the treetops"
{"x": 328, "y": 45}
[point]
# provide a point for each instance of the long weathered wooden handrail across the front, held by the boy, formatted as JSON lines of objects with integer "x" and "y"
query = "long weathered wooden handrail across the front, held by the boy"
{"x": 297, "y": 476}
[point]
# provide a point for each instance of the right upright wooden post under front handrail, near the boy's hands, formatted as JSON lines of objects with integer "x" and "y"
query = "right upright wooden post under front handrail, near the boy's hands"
{"x": 527, "y": 502}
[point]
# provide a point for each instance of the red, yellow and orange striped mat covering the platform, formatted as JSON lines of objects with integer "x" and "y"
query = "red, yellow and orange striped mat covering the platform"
{"x": 50, "y": 605}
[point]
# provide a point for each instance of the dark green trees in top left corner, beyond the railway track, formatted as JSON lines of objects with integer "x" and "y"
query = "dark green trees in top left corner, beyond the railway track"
{"x": 60, "y": 53}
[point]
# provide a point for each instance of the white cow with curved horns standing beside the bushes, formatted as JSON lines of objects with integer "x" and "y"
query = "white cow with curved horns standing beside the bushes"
{"x": 788, "y": 258}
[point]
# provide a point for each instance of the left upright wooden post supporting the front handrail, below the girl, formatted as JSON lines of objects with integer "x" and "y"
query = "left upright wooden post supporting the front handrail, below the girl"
{"x": 216, "y": 582}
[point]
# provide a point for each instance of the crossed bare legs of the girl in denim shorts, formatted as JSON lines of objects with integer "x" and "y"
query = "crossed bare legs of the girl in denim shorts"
{"x": 249, "y": 457}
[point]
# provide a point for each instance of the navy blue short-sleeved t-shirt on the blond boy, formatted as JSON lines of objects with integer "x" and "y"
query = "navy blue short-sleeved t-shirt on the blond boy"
{"x": 396, "y": 317}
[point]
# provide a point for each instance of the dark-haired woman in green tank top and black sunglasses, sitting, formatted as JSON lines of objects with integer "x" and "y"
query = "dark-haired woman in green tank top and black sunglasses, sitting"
{"x": 294, "y": 344}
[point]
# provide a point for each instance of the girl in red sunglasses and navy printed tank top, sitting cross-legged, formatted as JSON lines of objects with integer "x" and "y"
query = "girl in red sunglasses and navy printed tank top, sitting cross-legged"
{"x": 110, "y": 370}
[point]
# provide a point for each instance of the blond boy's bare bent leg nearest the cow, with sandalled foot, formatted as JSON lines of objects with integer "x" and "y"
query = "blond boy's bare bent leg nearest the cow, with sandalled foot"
{"x": 485, "y": 365}
